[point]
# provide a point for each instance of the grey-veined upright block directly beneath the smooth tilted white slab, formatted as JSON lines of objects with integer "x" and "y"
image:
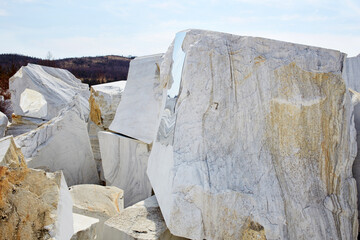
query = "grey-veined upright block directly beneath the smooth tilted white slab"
{"x": 124, "y": 162}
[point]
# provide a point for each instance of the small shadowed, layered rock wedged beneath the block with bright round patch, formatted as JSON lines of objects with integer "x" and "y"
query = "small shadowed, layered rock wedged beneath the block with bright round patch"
{"x": 21, "y": 125}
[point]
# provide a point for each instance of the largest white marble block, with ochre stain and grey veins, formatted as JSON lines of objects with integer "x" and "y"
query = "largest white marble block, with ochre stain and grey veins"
{"x": 257, "y": 138}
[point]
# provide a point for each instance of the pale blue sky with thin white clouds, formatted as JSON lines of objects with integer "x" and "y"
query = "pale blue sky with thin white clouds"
{"x": 76, "y": 28}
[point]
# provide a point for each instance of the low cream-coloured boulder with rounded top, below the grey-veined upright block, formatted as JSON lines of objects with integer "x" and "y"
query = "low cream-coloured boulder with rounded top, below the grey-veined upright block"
{"x": 98, "y": 202}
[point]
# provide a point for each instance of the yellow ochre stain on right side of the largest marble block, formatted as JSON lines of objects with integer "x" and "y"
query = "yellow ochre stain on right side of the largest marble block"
{"x": 304, "y": 120}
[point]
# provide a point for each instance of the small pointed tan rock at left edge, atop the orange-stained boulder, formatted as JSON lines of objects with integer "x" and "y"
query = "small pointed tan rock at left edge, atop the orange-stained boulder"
{"x": 10, "y": 155}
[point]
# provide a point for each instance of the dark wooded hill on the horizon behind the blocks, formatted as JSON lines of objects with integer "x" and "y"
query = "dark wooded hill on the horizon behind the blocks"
{"x": 91, "y": 70}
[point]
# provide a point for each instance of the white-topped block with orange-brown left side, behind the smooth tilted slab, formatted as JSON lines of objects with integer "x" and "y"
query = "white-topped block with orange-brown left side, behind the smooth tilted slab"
{"x": 103, "y": 101}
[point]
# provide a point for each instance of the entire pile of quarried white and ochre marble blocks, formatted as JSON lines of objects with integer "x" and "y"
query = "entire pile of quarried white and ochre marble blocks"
{"x": 221, "y": 137}
